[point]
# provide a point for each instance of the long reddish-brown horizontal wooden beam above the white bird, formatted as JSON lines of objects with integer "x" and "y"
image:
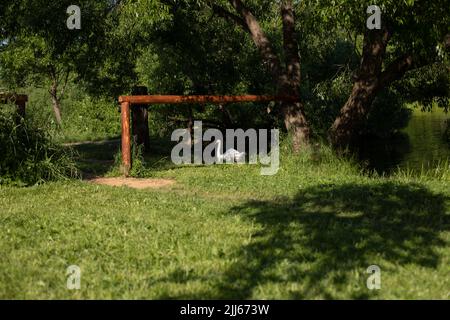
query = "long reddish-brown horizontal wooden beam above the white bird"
{"x": 171, "y": 99}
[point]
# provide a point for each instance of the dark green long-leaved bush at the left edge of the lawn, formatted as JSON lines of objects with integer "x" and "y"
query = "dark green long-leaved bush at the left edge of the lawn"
{"x": 28, "y": 155}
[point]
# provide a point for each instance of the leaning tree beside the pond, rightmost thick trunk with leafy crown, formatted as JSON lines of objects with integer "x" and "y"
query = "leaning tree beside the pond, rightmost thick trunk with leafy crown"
{"x": 409, "y": 33}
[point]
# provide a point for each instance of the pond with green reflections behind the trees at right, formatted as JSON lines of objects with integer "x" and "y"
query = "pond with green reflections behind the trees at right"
{"x": 420, "y": 145}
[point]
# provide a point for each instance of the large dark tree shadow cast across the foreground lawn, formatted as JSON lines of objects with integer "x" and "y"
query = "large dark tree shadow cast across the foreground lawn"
{"x": 326, "y": 232}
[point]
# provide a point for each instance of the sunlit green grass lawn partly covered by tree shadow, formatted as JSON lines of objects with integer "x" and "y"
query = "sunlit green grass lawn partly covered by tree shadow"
{"x": 310, "y": 231}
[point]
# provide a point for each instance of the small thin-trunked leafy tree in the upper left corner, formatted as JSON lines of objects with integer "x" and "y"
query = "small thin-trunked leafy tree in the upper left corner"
{"x": 39, "y": 48}
